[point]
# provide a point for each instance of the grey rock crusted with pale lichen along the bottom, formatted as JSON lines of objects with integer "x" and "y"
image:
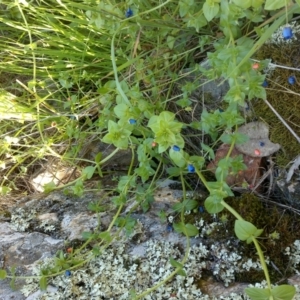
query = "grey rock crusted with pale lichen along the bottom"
{"x": 142, "y": 257}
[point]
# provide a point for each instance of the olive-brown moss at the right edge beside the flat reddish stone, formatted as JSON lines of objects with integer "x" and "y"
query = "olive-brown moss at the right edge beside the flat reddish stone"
{"x": 285, "y": 98}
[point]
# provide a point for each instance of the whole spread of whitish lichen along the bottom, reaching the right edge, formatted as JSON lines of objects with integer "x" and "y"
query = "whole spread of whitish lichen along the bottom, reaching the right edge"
{"x": 114, "y": 274}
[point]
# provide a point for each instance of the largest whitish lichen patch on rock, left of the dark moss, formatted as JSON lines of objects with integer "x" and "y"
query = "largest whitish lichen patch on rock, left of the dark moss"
{"x": 114, "y": 274}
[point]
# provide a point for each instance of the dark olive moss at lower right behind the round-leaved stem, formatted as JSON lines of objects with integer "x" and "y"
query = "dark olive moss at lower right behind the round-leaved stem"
{"x": 270, "y": 219}
